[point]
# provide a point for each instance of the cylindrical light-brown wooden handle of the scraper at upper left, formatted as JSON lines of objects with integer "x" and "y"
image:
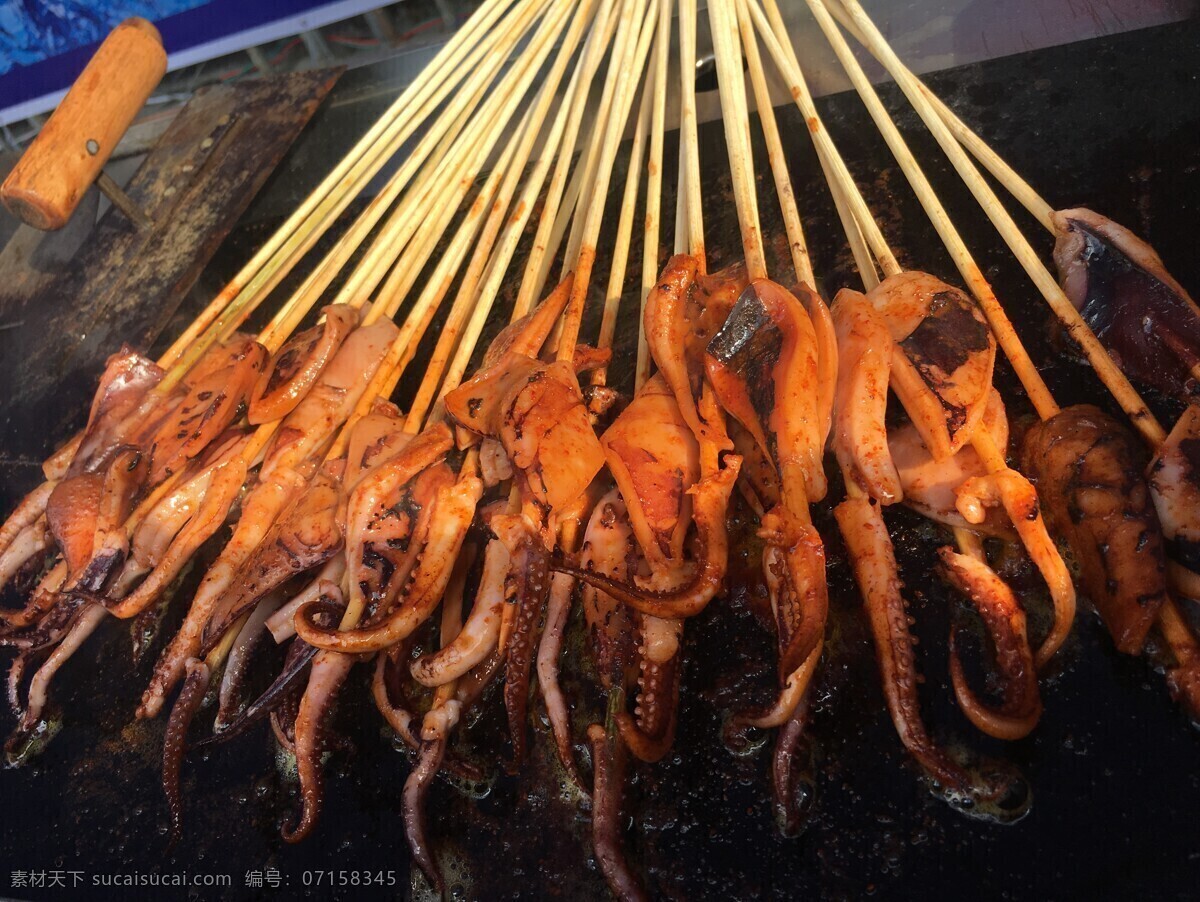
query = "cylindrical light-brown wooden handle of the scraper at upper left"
{"x": 46, "y": 185}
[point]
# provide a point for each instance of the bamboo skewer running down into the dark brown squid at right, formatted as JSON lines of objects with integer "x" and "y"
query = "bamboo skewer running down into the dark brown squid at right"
{"x": 1035, "y": 386}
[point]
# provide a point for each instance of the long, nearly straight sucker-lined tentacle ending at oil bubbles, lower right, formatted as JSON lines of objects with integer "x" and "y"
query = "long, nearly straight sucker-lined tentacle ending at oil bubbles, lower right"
{"x": 875, "y": 569}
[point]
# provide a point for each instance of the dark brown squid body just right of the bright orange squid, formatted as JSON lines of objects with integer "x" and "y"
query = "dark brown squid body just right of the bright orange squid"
{"x": 1089, "y": 472}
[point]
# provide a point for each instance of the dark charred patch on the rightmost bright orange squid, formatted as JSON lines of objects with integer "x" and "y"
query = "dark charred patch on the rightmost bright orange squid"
{"x": 944, "y": 342}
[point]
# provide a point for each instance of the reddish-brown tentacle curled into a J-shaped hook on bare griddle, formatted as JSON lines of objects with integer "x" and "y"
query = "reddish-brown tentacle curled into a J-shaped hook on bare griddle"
{"x": 1005, "y": 621}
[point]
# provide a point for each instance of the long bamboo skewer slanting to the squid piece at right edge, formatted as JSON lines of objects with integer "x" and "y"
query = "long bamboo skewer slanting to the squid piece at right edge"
{"x": 1117, "y": 382}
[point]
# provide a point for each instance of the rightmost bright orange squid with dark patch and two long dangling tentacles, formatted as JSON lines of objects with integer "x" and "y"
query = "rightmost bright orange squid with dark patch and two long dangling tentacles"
{"x": 913, "y": 321}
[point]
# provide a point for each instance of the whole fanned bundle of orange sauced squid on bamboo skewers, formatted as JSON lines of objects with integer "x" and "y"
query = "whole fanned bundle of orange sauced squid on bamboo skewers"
{"x": 445, "y": 545}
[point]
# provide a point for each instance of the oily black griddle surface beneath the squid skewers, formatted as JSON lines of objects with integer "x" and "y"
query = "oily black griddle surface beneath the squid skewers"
{"x": 1114, "y": 766}
